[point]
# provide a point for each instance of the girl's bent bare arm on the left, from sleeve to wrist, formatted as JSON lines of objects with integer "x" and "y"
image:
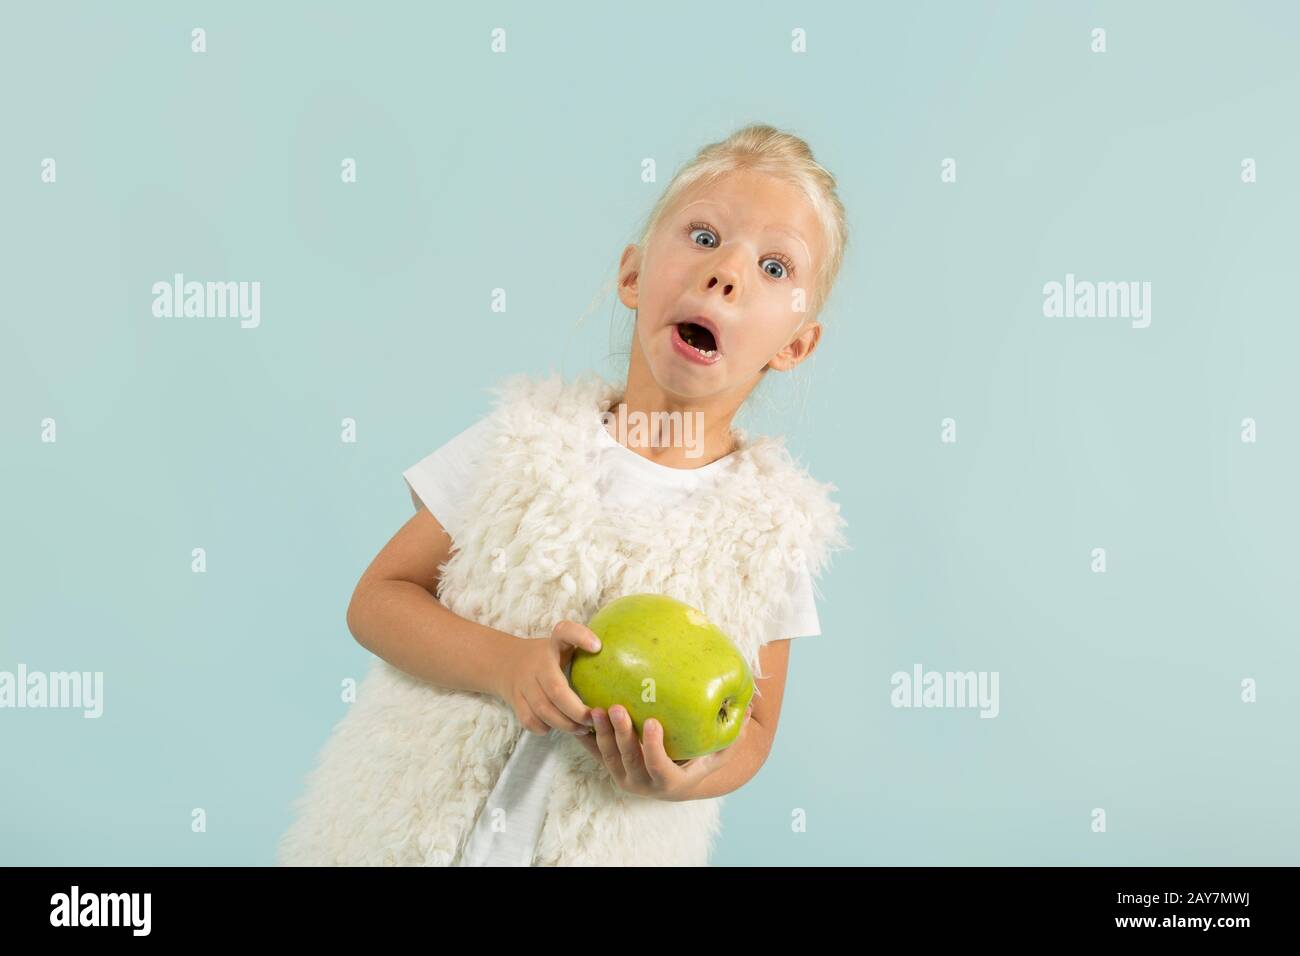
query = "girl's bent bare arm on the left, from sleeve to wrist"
{"x": 396, "y": 616}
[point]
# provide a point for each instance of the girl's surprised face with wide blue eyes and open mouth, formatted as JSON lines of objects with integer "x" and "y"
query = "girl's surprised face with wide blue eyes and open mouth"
{"x": 740, "y": 258}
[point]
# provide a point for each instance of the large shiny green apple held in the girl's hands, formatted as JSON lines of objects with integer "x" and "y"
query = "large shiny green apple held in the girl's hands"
{"x": 666, "y": 660}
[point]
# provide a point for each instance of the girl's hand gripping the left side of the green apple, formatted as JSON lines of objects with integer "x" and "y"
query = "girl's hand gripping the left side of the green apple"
{"x": 535, "y": 684}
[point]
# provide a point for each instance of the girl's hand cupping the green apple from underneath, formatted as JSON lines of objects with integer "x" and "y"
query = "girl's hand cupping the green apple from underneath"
{"x": 645, "y": 768}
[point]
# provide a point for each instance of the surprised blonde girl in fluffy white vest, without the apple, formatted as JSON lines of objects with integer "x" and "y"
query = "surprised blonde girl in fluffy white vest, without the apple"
{"x": 467, "y": 745}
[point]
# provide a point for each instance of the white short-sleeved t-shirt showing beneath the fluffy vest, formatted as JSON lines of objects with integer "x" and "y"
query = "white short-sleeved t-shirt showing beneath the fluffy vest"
{"x": 443, "y": 482}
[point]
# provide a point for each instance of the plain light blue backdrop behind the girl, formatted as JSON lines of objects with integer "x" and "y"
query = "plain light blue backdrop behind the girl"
{"x": 522, "y": 171}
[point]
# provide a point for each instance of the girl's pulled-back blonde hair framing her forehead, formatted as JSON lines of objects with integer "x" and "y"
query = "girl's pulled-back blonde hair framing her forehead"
{"x": 764, "y": 149}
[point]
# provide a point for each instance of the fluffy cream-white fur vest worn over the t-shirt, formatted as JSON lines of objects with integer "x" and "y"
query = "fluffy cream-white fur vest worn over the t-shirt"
{"x": 409, "y": 768}
